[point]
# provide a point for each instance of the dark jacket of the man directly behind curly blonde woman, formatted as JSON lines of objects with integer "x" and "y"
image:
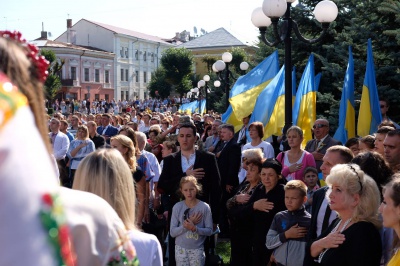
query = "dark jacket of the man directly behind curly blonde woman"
{"x": 318, "y": 198}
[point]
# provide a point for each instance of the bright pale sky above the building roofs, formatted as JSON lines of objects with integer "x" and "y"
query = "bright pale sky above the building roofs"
{"x": 155, "y": 17}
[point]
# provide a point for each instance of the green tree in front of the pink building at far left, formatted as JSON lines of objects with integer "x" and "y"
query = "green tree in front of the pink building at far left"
{"x": 52, "y": 84}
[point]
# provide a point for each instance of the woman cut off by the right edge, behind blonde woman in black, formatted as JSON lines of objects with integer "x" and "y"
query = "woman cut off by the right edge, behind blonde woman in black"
{"x": 390, "y": 210}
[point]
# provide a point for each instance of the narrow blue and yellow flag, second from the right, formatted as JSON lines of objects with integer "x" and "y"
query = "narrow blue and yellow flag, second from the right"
{"x": 347, "y": 114}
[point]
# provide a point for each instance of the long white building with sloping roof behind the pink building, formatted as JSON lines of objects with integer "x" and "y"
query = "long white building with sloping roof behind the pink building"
{"x": 137, "y": 55}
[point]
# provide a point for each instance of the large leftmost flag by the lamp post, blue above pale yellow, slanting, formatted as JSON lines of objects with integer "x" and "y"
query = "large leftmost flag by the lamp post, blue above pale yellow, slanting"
{"x": 244, "y": 93}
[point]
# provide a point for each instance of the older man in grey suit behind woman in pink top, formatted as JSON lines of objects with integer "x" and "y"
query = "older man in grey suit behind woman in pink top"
{"x": 321, "y": 142}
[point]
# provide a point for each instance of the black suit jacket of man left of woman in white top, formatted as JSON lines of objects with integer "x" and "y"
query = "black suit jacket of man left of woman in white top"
{"x": 229, "y": 164}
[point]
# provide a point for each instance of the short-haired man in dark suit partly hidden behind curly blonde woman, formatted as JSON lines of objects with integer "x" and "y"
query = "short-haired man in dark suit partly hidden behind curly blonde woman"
{"x": 322, "y": 215}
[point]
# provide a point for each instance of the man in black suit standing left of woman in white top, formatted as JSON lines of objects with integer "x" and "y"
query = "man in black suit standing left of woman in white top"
{"x": 229, "y": 165}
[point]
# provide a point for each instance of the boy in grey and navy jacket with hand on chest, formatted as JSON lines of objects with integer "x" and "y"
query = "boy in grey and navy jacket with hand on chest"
{"x": 287, "y": 234}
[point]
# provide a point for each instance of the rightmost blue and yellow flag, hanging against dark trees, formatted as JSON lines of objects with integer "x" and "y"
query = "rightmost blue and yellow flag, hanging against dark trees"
{"x": 369, "y": 116}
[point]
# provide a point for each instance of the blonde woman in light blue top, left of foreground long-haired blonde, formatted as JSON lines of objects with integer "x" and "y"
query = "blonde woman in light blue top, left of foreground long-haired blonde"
{"x": 78, "y": 149}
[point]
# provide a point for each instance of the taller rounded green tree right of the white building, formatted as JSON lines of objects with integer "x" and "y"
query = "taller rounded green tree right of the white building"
{"x": 178, "y": 63}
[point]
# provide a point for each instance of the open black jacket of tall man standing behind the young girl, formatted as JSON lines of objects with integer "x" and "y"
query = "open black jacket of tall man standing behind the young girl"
{"x": 171, "y": 175}
